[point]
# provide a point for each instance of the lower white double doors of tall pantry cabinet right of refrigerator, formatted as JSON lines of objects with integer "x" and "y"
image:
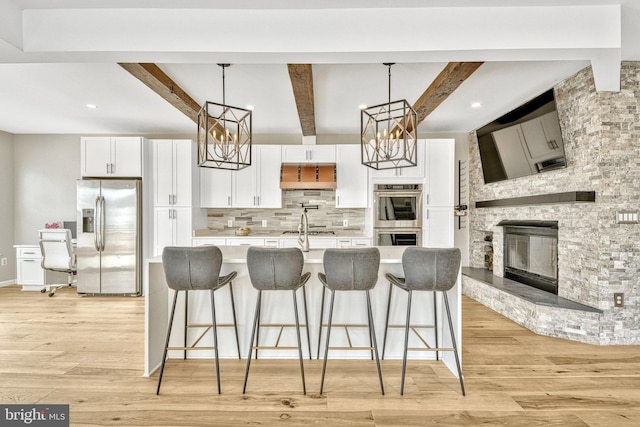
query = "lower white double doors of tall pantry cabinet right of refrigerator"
{"x": 172, "y": 226}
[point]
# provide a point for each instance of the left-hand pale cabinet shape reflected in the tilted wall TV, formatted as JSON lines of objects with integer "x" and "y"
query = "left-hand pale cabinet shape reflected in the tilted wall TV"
{"x": 510, "y": 145}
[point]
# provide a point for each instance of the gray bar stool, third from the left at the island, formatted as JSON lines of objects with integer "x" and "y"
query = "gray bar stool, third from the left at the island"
{"x": 350, "y": 269}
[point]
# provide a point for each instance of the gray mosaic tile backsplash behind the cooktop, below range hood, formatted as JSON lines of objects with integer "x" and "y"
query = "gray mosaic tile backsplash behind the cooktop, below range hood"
{"x": 326, "y": 217}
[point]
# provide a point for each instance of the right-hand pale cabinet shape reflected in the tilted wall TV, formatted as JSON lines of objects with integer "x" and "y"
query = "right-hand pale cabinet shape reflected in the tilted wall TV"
{"x": 543, "y": 137}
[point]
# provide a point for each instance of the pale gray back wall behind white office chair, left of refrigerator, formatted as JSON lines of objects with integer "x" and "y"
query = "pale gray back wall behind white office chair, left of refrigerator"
{"x": 46, "y": 168}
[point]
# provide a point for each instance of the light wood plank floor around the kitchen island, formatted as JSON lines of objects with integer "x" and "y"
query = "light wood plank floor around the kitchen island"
{"x": 88, "y": 352}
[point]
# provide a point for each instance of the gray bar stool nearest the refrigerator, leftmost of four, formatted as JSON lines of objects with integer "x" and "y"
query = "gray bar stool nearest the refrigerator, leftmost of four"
{"x": 197, "y": 268}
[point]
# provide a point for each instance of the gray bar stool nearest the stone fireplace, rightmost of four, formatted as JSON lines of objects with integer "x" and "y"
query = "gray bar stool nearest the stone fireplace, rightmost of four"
{"x": 427, "y": 269}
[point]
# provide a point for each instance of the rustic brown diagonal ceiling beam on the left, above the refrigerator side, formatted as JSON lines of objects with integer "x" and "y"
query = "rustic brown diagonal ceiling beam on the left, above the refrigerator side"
{"x": 152, "y": 76}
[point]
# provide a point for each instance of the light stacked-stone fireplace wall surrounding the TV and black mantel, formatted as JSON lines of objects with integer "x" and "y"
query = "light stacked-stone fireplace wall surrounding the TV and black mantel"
{"x": 596, "y": 255}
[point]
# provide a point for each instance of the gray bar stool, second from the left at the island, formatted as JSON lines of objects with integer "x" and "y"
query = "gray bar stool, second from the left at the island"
{"x": 275, "y": 269}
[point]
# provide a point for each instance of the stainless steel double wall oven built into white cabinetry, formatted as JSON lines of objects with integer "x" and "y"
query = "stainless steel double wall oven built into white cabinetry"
{"x": 397, "y": 214}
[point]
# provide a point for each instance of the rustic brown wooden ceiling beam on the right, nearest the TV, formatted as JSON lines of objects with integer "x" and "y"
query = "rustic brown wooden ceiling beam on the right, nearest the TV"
{"x": 449, "y": 79}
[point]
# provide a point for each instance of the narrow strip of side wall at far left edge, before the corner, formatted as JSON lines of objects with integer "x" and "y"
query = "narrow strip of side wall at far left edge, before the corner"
{"x": 7, "y": 272}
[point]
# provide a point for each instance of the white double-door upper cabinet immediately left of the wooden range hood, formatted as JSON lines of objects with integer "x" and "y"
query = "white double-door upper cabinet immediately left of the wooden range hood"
{"x": 258, "y": 186}
